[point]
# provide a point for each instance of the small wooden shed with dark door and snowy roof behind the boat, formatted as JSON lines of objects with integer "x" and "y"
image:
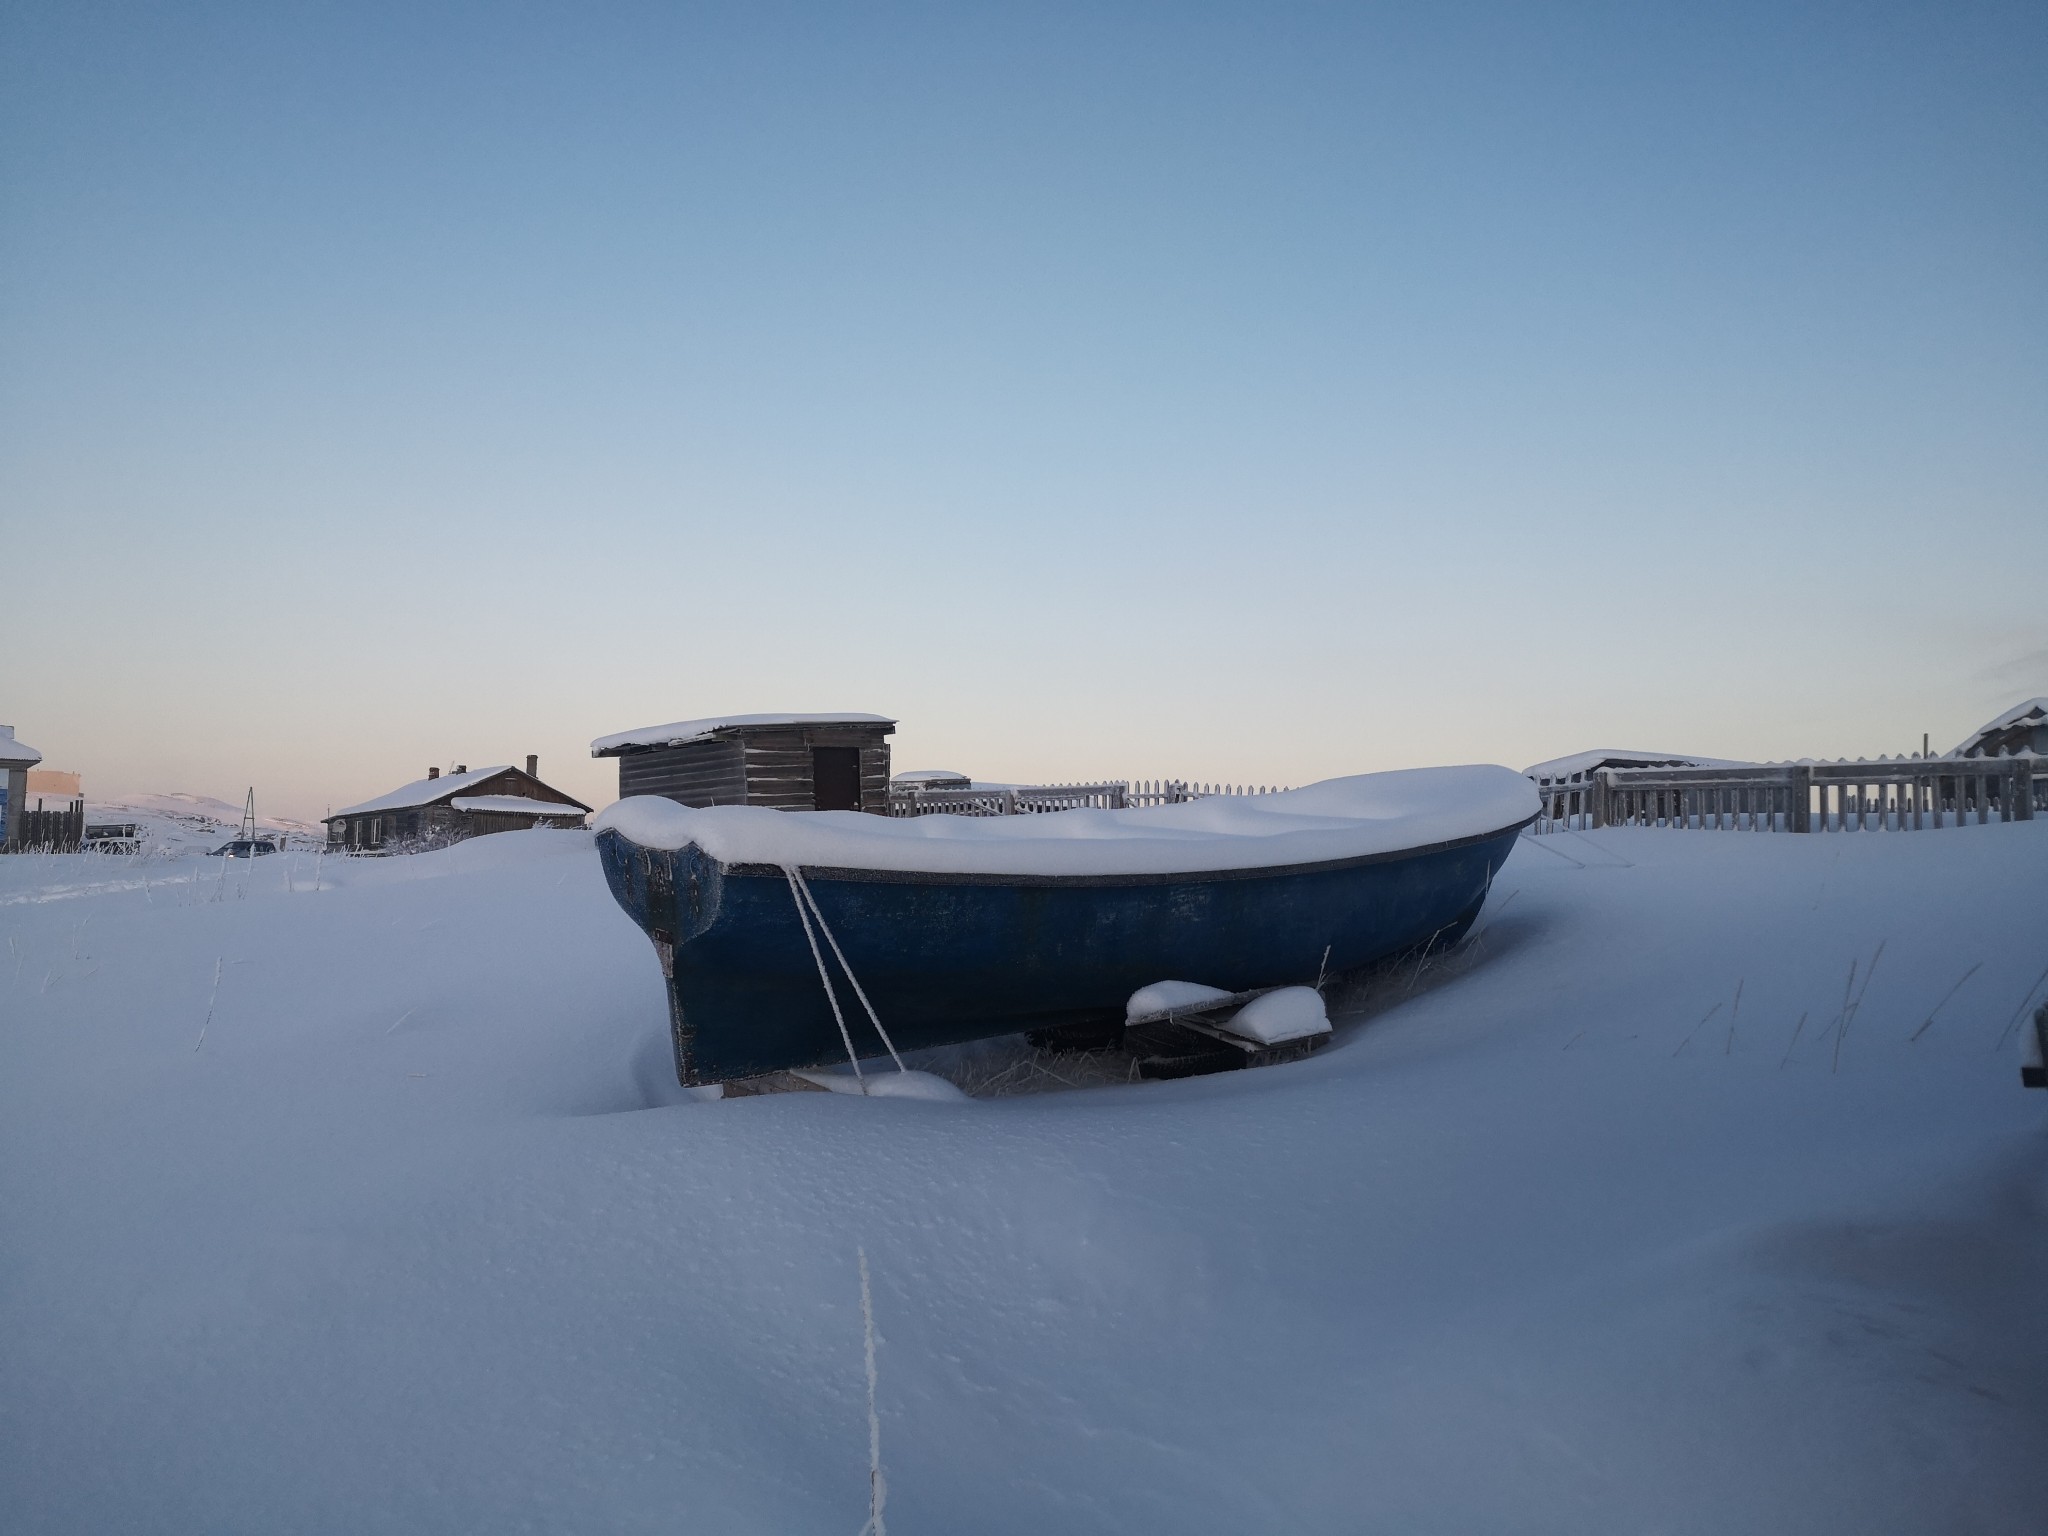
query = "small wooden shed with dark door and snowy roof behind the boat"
{"x": 790, "y": 763}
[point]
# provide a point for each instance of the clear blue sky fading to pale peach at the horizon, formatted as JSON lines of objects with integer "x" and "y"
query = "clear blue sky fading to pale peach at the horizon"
{"x": 1256, "y": 394}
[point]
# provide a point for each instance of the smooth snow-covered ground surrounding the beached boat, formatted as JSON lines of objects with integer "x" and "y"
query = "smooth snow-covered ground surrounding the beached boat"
{"x": 357, "y": 1197}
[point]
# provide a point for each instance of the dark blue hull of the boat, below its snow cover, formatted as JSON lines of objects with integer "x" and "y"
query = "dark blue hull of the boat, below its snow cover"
{"x": 966, "y": 957}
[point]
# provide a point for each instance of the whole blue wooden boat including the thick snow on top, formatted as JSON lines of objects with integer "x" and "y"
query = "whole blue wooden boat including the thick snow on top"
{"x": 978, "y": 931}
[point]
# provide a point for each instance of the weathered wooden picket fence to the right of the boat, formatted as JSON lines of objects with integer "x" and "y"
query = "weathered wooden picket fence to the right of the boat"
{"x": 1885, "y": 796}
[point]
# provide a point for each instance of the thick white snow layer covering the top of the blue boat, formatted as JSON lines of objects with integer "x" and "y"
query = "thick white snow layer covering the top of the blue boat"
{"x": 1340, "y": 818}
